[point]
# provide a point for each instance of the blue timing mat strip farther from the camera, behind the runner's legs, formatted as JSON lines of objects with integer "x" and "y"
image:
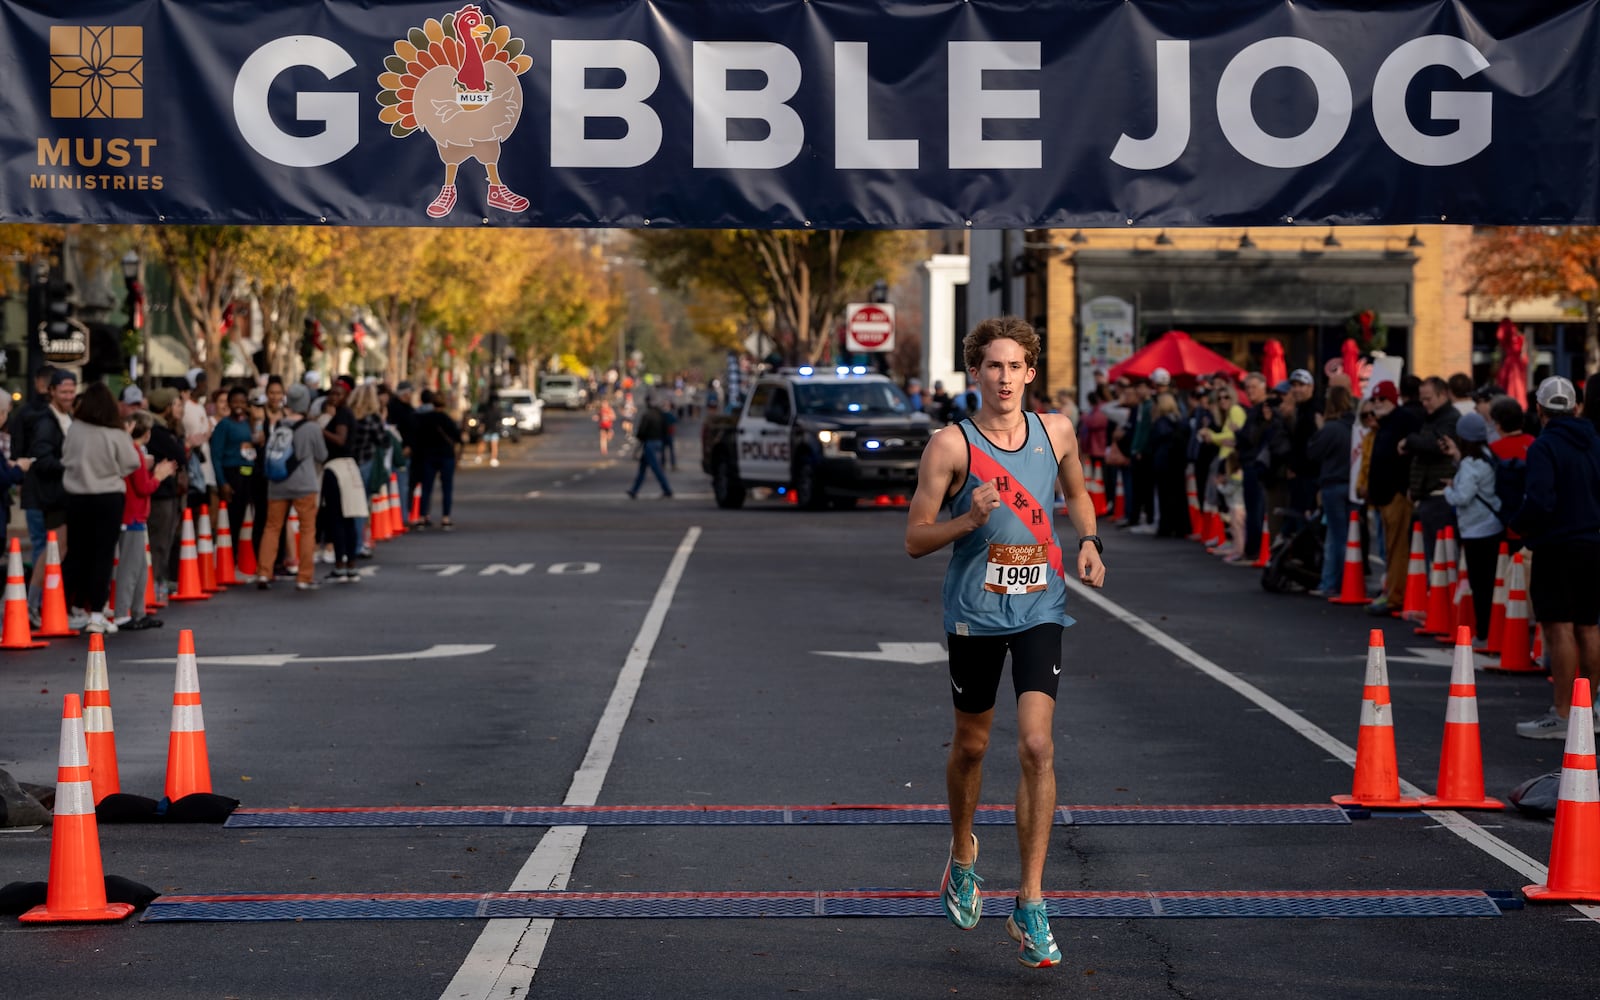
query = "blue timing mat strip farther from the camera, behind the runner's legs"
{"x": 825, "y": 815}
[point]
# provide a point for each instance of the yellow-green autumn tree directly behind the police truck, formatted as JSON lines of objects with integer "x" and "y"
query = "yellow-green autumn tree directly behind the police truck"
{"x": 793, "y": 282}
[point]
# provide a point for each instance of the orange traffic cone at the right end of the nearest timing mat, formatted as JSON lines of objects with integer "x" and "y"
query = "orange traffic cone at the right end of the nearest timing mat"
{"x": 1575, "y": 863}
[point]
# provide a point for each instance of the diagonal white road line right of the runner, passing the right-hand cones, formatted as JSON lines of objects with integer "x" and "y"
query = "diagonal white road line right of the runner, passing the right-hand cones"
{"x": 1455, "y": 823}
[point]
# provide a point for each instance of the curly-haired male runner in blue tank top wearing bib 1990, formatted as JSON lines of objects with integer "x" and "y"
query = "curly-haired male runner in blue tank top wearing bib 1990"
{"x": 1004, "y": 591}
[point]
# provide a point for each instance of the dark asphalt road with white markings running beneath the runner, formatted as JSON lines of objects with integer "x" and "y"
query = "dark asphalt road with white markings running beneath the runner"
{"x": 722, "y": 618}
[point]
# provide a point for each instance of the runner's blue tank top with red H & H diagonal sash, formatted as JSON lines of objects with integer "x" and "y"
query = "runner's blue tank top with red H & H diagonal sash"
{"x": 1007, "y": 575}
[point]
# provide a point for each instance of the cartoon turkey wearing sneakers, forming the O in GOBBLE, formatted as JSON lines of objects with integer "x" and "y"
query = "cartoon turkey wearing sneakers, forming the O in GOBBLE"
{"x": 457, "y": 81}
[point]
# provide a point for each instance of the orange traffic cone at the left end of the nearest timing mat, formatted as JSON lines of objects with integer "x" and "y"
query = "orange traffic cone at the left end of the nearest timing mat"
{"x": 78, "y": 882}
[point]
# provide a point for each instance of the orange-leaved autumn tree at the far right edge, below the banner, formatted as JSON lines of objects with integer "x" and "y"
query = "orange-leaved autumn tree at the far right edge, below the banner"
{"x": 1535, "y": 262}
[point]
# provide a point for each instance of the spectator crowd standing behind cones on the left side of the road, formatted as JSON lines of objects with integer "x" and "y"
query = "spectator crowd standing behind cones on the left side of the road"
{"x": 113, "y": 478}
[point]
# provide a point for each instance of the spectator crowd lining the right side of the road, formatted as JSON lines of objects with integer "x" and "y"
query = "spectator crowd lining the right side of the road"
{"x": 1300, "y": 457}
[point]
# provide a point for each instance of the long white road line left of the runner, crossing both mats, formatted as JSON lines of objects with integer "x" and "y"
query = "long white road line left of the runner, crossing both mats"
{"x": 506, "y": 956}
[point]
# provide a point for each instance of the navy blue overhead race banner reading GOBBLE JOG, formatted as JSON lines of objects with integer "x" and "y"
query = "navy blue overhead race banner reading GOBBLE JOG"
{"x": 823, "y": 114}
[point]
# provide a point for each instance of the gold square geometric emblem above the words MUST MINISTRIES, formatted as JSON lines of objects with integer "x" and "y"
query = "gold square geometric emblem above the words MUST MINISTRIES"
{"x": 97, "y": 73}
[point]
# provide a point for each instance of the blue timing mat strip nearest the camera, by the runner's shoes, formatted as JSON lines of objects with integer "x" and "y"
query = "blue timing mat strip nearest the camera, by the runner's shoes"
{"x": 854, "y": 903}
